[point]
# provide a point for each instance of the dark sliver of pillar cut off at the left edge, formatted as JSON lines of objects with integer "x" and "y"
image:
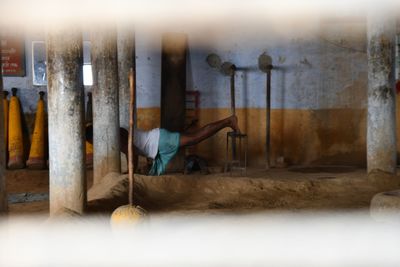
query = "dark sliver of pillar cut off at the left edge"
{"x": 3, "y": 195}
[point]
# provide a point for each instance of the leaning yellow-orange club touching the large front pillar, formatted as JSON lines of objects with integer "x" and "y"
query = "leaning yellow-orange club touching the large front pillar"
{"x": 37, "y": 153}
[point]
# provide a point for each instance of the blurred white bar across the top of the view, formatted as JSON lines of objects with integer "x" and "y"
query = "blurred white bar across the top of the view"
{"x": 179, "y": 13}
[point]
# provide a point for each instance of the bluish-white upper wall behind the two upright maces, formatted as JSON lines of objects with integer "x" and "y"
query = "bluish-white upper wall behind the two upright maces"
{"x": 314, "y": 71}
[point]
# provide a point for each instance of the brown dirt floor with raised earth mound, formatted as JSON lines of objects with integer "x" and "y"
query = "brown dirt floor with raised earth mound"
{"x": 294, "y": 189}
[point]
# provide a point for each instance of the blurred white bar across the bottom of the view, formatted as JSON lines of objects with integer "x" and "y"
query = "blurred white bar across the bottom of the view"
{"x": 193, "y": 240}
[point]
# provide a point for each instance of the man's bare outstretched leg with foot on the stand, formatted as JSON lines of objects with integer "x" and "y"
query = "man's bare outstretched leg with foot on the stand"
{"x": 189, "y": 139}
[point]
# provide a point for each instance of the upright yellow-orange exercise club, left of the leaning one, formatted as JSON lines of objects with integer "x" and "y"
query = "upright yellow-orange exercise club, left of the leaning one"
{"x": 15, "y": 138}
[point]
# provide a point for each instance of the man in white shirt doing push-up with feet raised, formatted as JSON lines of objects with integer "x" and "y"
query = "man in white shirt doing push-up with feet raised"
{"x": 162, "y": 145}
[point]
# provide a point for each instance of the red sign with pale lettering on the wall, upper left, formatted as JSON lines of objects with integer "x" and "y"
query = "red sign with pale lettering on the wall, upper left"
{"x": 12, "y": 56}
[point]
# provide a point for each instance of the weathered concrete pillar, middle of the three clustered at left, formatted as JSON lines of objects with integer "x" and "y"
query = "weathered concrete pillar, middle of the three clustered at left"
{"x": 106, "y": 150}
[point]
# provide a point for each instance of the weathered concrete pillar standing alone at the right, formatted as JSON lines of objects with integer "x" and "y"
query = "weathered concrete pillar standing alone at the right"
{"x": 381, "y": 124}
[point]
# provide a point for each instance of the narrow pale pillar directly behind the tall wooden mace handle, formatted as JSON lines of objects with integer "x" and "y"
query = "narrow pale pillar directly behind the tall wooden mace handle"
{"x": 126, "y": 60}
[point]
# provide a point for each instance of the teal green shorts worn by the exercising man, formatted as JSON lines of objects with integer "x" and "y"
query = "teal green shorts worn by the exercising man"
{"x": 168, "y": 146}
